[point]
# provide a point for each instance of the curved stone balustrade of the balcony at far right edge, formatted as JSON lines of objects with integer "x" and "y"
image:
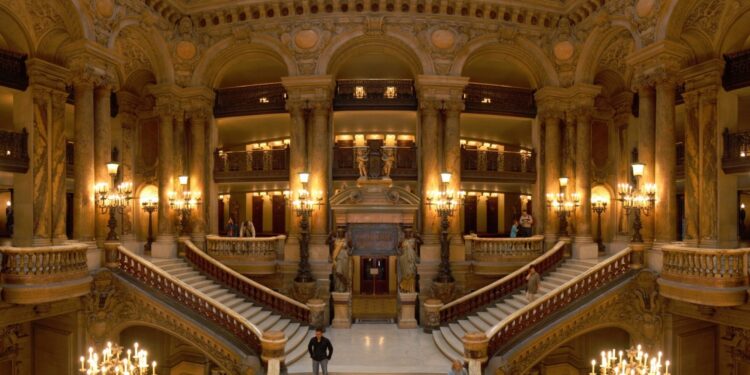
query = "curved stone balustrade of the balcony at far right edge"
{"x": 709, "y": 267}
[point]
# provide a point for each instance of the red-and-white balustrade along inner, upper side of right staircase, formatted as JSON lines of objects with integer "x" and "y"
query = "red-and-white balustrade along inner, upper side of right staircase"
{"x": 501, "y": 288}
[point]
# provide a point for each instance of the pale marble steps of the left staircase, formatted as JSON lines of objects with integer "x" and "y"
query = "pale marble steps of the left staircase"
{"x": 297, "y": 334}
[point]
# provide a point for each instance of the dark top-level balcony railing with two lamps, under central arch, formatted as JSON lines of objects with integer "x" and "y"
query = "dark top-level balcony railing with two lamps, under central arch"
{"x": 383, "y": 94}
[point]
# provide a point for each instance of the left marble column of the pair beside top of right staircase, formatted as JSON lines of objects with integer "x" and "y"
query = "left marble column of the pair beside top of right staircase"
{"x": 552, "y": 171}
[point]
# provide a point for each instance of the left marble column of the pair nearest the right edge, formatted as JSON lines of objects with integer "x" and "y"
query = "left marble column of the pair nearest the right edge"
{"x": 692, "y": 170}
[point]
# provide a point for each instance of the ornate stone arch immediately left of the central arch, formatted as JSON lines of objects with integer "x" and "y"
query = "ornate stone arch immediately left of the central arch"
{"x": 213, "y": 61}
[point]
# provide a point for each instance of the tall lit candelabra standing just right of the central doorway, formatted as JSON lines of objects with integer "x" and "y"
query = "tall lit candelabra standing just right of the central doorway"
{"x": 444, "y": 202}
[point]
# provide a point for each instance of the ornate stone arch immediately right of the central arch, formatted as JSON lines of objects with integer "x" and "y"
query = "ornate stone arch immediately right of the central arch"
{"x": 522, "y": 51}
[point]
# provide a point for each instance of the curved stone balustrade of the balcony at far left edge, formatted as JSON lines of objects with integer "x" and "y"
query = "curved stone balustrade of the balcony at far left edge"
{"x": 24, "y": 264}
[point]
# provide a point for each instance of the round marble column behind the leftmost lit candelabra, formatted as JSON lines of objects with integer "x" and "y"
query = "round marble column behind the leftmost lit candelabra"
{"x": 102, "y": 148}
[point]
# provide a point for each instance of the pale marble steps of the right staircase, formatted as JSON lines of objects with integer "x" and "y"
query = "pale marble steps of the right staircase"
{"x": 448, "y": 337}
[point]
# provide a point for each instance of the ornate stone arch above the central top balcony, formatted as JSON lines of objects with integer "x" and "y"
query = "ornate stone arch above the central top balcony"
{"x": 404, "y": 46}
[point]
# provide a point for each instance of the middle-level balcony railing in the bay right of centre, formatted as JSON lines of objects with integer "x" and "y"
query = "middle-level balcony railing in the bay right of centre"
{"x": 497, "y": 166}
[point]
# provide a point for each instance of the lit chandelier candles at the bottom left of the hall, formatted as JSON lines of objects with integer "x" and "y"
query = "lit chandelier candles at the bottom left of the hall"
{"x": 113, "y": 361}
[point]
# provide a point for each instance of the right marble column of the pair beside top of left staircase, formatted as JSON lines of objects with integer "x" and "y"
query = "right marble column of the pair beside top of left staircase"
{"x": 198, "y": 171}
